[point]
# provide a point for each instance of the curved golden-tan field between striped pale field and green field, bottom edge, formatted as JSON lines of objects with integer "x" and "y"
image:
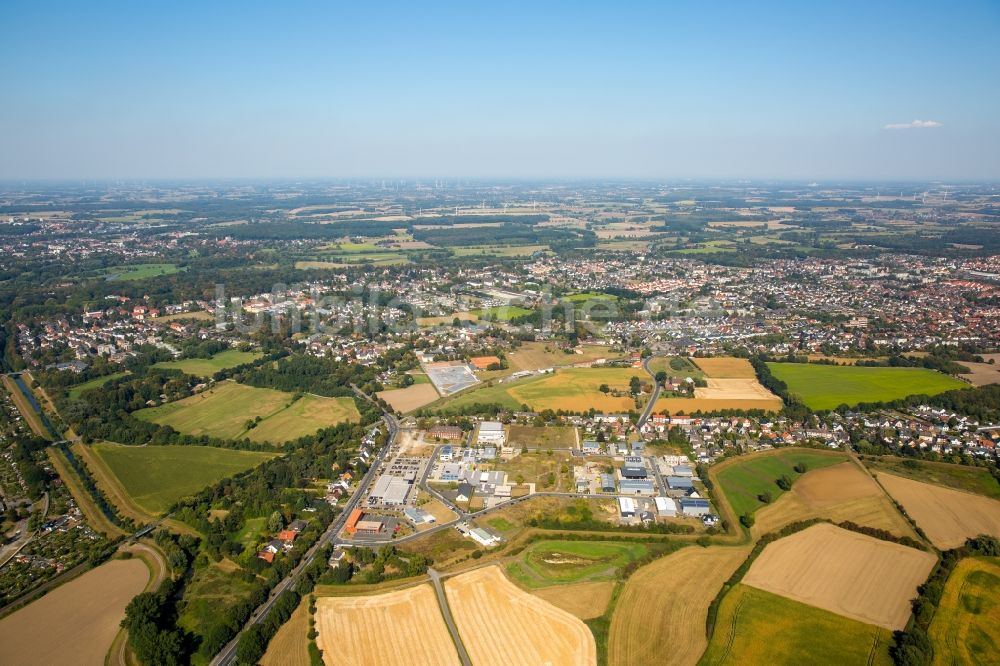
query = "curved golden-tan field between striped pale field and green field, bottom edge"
{"x": 676, "y": 590}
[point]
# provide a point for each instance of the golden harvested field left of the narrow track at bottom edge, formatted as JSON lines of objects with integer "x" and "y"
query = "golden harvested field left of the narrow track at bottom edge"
{"x": 399, "y": 628}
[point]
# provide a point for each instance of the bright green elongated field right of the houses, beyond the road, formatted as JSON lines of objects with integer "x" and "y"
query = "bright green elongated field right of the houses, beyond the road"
{"x": 829, "y": 386}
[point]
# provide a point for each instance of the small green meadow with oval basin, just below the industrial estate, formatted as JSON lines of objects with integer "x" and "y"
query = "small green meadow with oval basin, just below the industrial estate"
{"x": 550, "y": 562}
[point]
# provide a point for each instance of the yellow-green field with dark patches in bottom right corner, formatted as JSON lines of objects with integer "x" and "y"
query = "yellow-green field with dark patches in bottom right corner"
{"x": 966, "y": 626}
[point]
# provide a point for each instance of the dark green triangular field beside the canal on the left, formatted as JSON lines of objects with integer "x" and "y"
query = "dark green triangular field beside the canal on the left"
{"x": 157, "y": 476}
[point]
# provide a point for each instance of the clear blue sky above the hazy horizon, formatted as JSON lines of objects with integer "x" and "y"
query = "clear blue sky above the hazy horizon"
{"x": 657, "y": 90}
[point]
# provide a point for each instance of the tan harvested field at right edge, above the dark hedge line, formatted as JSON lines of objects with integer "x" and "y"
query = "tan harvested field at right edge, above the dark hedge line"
{"x": 947, "y": 516}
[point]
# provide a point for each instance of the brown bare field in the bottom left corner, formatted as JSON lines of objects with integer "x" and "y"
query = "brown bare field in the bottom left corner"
{"x": 76, "y": 622}
